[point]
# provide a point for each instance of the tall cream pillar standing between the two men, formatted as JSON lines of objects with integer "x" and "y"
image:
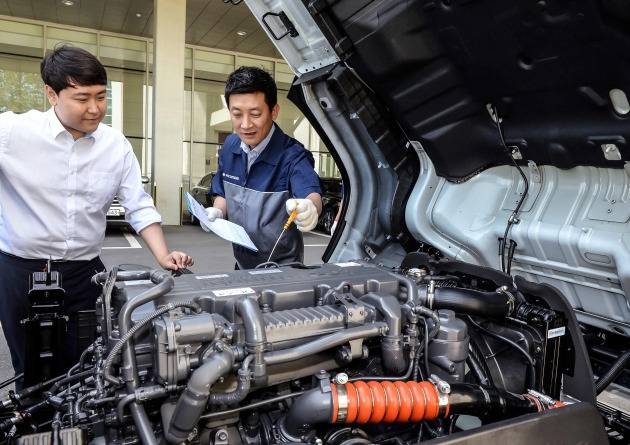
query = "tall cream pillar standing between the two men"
{"x": 168, "y": 106}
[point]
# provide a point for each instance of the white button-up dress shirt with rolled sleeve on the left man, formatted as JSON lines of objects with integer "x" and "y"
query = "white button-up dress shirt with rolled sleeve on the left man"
{"x": 55, "y": 191}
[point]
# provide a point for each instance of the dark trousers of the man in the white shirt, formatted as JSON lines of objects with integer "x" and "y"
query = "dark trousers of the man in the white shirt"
{"x": 80, "y": 295}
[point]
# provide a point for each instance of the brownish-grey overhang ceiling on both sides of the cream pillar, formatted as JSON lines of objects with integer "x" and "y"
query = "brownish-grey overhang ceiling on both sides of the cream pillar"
{"x": 209, "y": 23}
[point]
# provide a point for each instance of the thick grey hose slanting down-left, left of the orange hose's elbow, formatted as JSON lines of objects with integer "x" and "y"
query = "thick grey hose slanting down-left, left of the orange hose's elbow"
{"x": 193, "y": 400}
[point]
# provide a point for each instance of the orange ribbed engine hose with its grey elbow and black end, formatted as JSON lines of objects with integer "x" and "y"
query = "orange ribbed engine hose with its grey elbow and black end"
{"x": 388, "y": 402}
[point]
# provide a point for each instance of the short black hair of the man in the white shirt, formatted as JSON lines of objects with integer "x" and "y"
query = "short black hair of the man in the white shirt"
{"x": 69, "y": 65}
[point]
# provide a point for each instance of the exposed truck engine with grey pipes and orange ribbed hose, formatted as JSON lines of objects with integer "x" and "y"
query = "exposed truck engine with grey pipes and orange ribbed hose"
{"x": 434, "y": 351}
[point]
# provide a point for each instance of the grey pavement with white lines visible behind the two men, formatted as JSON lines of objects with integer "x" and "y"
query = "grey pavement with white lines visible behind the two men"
{"x": 211, "y": 254}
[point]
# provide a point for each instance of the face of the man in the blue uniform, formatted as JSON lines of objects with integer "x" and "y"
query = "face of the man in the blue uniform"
{"x": 251, "y": 117}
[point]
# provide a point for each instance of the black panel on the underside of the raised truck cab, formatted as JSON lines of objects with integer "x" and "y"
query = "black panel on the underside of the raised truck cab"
{"x": 557, "y": 73}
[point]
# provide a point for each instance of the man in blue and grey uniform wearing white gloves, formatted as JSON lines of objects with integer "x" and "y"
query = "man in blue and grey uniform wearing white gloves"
{"x": 263, "y": 175}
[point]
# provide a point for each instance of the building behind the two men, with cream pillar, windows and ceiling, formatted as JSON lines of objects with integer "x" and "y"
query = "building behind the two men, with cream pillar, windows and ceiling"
{"x": 167, "y": 61}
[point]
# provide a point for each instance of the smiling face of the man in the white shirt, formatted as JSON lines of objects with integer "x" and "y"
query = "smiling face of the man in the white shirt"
{"x": 79, "y": 108}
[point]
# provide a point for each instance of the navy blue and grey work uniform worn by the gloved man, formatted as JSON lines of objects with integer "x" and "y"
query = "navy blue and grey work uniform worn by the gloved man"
{"x": 256, "y": 199}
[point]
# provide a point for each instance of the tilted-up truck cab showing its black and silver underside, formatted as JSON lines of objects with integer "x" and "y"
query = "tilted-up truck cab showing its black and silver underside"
{"x": 492, "y": 132}
